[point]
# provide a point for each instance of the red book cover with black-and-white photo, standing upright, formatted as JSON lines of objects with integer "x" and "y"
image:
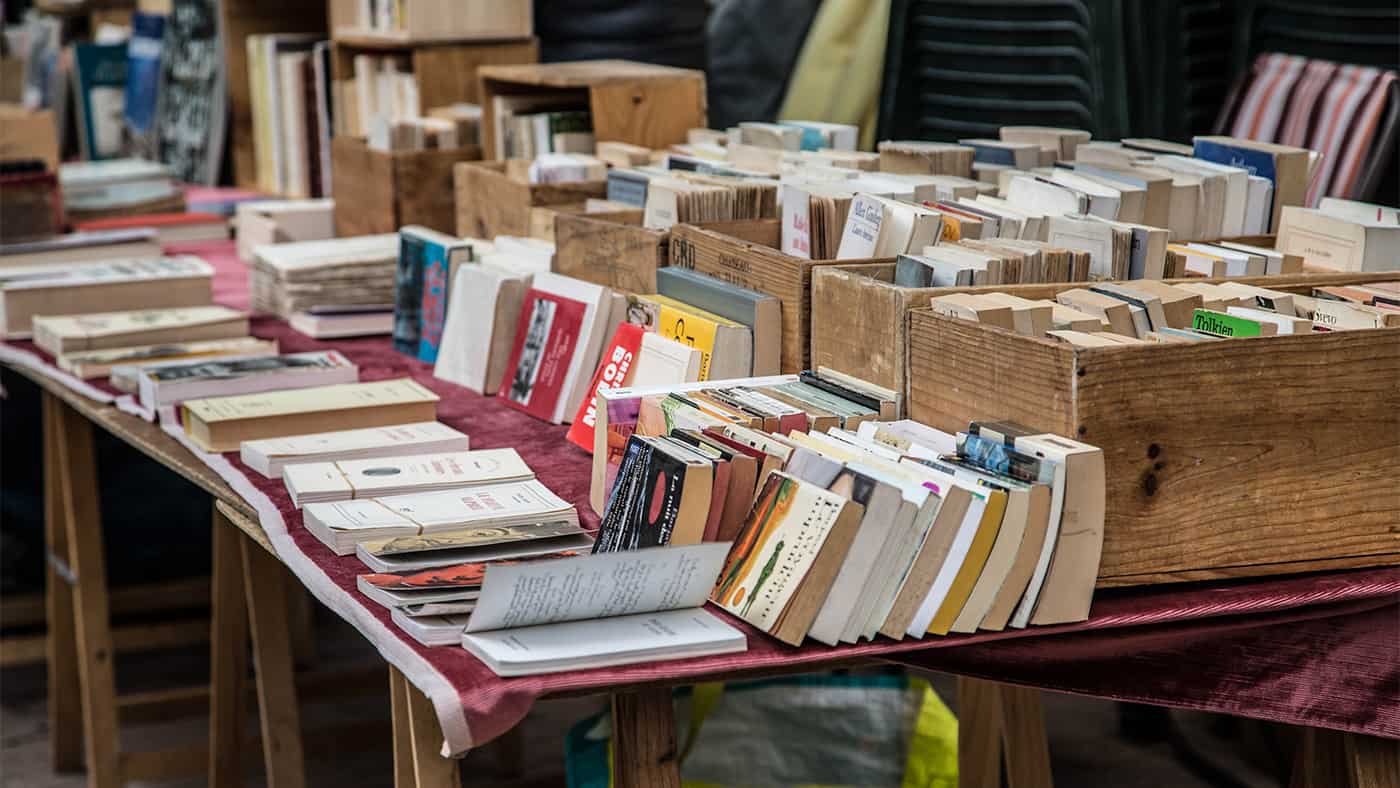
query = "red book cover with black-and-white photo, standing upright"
{"x": 545, "y": 339}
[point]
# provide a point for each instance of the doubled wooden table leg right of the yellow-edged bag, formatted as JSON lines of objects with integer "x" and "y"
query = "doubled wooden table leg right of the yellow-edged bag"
{"x": 1000, "y": 724}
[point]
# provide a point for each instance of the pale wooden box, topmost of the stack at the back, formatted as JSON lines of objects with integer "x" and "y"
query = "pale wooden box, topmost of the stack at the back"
{"x": 437, "y": 20}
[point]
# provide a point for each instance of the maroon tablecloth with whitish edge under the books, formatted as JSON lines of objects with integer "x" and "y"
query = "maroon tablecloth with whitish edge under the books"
{"x": 1318, "y": 650}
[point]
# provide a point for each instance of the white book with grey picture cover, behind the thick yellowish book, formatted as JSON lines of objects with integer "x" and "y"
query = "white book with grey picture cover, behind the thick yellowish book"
{"x": 171, "y": 384}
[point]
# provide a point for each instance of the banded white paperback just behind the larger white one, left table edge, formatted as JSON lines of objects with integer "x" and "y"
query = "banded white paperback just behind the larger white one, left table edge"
{"x": 374, "y": 478}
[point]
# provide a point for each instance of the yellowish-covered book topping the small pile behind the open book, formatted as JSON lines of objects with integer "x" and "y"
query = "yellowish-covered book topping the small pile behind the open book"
{"x": 471, "y": 544}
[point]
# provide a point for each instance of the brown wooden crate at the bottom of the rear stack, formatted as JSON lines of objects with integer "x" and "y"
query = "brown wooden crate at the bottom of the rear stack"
{"x": 381, "y": 192}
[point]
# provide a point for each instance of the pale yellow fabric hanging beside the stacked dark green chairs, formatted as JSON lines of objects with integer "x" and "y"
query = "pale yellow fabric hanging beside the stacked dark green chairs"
{"x": 838, "y": 75}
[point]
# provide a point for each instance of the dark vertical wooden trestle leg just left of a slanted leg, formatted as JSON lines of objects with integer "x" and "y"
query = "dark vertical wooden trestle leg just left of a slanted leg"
{"x": 227, "y": 657}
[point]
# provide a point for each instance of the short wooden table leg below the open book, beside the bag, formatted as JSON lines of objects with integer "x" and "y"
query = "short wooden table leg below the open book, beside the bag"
{"x": 645, "y": 740}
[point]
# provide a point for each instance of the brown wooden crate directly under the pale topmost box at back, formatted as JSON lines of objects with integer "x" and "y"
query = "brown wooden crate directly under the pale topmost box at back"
{"x": 446, "y": 72}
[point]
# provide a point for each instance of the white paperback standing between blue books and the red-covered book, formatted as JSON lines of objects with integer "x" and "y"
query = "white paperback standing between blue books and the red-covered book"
{"x": 481, "y": 327}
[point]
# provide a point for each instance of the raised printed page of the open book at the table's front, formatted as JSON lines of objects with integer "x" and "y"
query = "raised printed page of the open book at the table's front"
{"x": 597, "y": 587}
